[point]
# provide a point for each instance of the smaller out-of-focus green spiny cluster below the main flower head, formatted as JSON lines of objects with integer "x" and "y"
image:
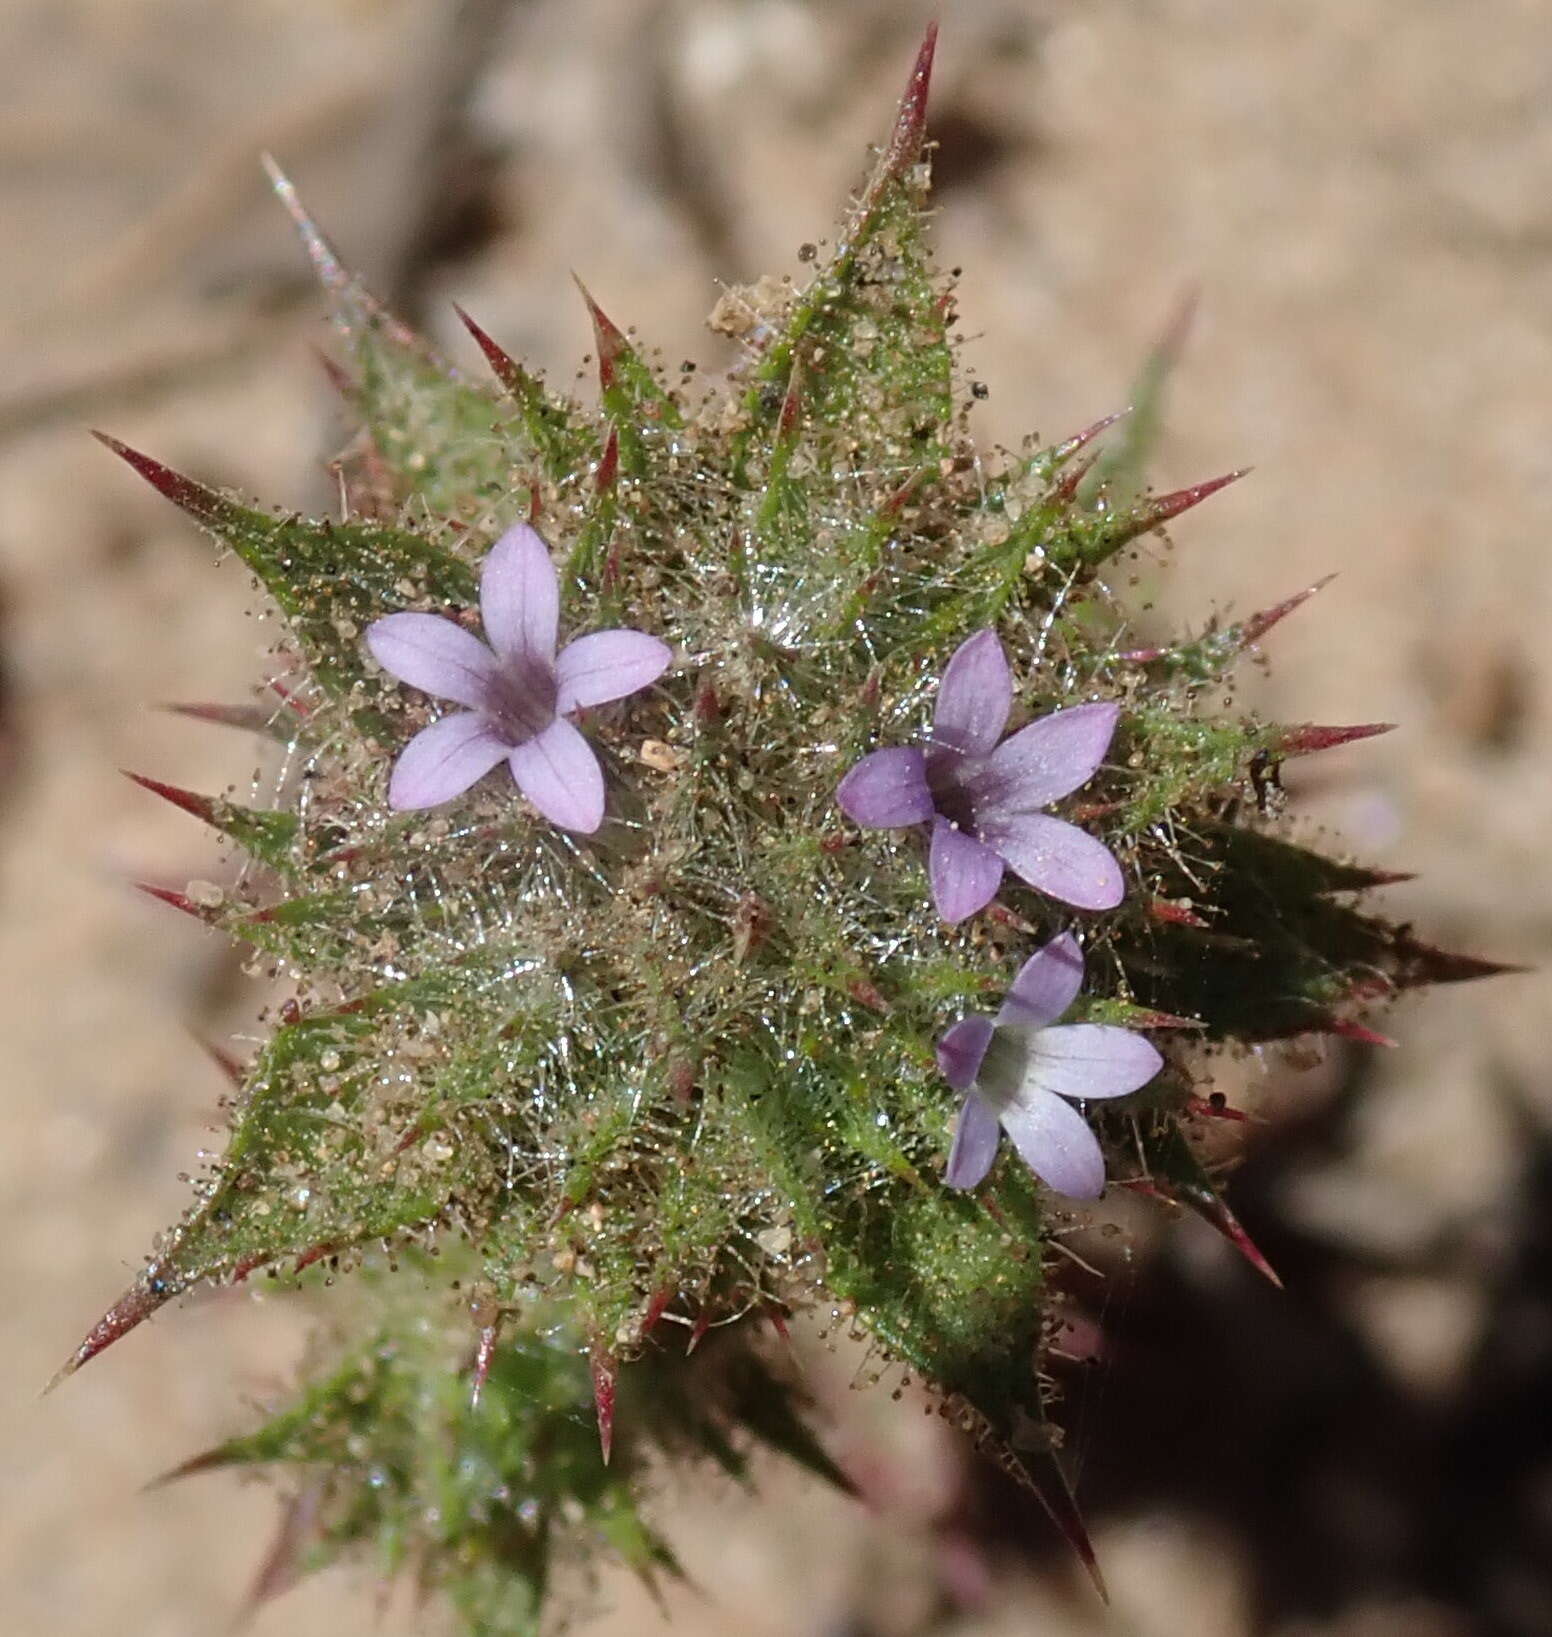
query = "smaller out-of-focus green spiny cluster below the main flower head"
{"x": 494, "y": 1497}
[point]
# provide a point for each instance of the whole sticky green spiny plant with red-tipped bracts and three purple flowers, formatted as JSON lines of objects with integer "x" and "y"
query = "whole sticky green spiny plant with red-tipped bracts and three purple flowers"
{"x": 665, "y": 1027}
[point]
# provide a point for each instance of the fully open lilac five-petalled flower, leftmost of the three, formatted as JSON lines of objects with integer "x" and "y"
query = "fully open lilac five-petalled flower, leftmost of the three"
{"x": 518, "y": 692}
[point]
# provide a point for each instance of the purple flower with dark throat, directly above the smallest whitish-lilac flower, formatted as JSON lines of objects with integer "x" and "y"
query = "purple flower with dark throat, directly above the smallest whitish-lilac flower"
{"x": 983, "y": 798}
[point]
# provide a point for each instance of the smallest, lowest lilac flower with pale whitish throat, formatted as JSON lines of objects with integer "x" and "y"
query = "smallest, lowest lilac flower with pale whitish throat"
{"x": 1017, "y": 1071}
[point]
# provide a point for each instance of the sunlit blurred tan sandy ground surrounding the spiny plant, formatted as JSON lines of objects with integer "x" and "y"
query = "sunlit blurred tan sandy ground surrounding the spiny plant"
{"x": 1363, "y": 192}
